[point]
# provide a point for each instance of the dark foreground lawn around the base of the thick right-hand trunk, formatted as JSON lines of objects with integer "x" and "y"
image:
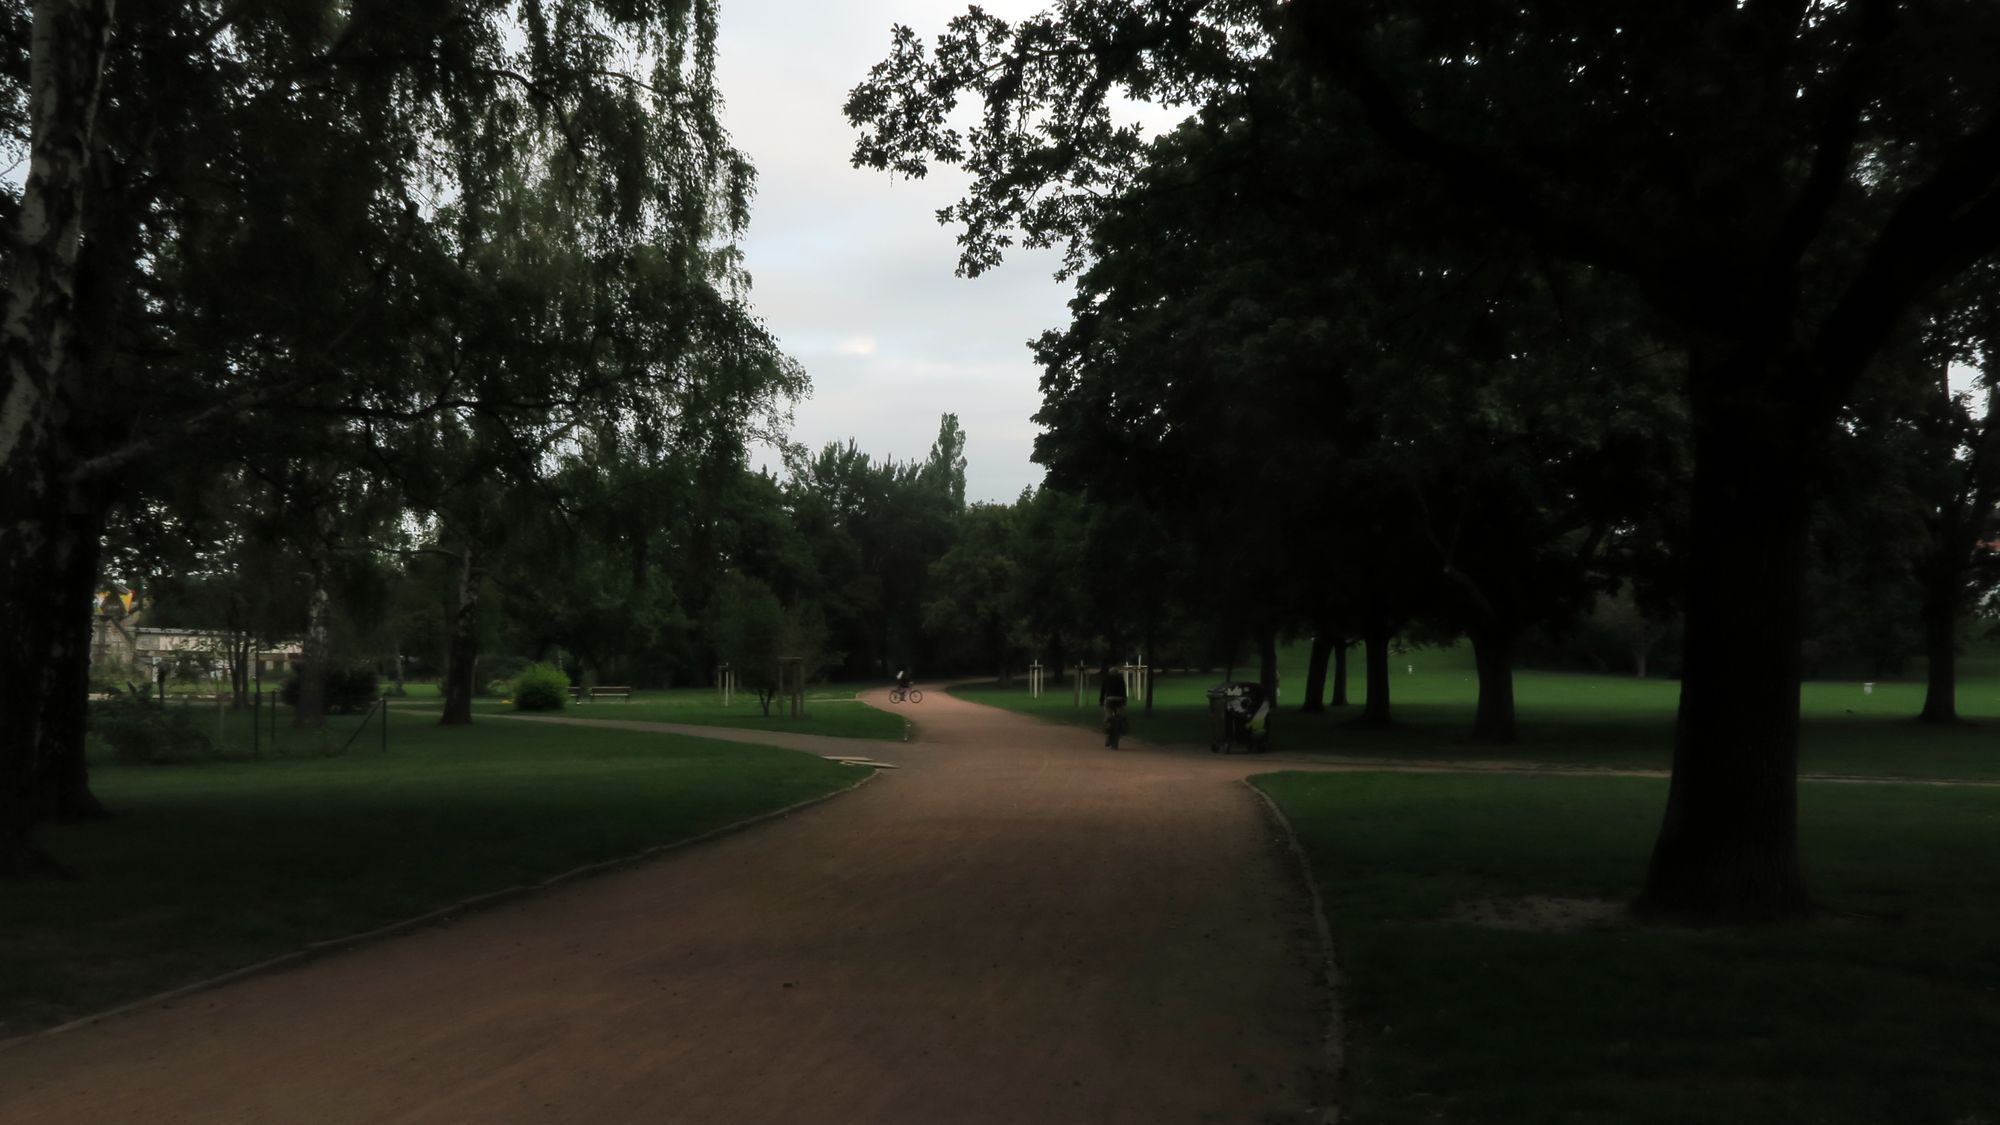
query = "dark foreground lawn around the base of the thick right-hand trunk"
{"x": 1889, "y": 1012}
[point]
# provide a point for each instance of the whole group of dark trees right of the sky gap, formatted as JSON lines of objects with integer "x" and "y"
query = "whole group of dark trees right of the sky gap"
{"x": 1499, "y": 299}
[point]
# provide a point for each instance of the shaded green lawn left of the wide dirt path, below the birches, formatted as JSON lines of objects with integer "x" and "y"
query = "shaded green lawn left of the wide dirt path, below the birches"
{"x": 207, "y": 868}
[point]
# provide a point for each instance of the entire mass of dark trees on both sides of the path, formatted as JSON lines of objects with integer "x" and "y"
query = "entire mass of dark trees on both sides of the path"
{"x": 1431, "y": 317}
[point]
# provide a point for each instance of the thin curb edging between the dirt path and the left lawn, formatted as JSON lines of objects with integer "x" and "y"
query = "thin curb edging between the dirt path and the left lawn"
{"x": 315, "y": 950}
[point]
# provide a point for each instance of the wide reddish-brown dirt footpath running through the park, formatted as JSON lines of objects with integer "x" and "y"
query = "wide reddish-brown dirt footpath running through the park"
{"x": 1017, "y": 926}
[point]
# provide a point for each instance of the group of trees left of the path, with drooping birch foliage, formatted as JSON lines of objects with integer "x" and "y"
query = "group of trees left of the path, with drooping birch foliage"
{"x": 297, "y": 285}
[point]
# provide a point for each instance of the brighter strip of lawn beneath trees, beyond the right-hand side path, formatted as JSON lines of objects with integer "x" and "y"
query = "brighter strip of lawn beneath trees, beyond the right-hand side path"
{"x": 1569, "y": 720}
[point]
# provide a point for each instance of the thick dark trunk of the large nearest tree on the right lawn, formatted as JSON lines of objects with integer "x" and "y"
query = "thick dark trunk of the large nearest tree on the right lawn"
{"x": 1729, "y": 844}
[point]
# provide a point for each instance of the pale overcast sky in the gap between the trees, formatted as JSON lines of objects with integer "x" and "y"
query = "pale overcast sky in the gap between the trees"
{"x": 851, "y": 269}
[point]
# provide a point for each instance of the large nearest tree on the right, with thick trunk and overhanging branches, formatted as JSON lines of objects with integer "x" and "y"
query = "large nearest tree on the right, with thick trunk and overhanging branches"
{"x": 1781, "y": 181}
